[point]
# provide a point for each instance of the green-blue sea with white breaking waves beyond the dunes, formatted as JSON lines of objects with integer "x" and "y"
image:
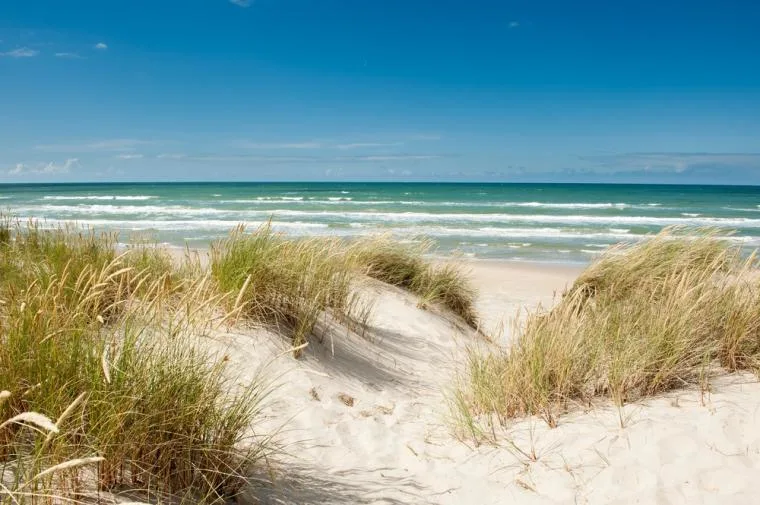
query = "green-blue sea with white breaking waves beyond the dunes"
{"x": 560, "y": 223}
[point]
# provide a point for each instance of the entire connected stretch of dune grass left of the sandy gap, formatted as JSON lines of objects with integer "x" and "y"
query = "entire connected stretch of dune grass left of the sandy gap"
{"x": 105, "y": 383}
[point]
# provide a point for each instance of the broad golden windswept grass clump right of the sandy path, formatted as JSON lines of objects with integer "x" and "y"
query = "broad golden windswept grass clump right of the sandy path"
{"x": 646, "y": 318}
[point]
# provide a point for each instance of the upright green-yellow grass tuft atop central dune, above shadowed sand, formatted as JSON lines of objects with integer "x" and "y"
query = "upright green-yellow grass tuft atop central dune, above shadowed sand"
{"x": 287, "y": 283}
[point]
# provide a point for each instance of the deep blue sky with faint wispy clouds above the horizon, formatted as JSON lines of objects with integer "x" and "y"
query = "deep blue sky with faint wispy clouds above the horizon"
{"x": 626, "y": 91}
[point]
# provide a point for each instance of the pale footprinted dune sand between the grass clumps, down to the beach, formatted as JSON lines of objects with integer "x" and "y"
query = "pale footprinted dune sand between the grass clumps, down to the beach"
{"x": 364, "y": 420}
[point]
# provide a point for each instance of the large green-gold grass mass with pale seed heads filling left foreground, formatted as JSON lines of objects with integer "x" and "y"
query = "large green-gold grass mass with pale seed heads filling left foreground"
{"x": 92, "y": 337}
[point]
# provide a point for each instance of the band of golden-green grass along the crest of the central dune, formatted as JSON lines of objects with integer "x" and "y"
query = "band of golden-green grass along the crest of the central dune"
{"x": 292, "y": 283}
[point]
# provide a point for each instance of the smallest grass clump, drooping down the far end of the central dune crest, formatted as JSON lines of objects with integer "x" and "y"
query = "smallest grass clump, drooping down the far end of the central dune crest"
{"x": 405, "y": 266}
